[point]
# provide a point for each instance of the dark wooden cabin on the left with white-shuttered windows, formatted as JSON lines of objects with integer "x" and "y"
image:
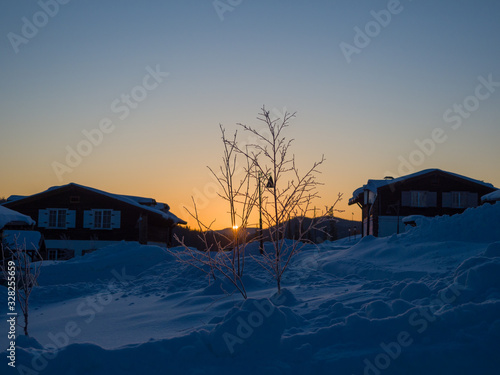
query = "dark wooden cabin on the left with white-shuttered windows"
{"x": 76, "y": 219}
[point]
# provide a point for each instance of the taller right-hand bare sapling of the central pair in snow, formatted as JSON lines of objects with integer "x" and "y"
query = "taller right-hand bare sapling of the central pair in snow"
{"x": 292, "y": 193}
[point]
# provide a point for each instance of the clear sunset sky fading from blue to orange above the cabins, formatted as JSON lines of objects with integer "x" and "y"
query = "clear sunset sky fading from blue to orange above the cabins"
{"x": 127, "y": 96}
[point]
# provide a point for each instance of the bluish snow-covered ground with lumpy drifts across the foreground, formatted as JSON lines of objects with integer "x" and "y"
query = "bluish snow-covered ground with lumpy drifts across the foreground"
{"x": 422, "y": 302}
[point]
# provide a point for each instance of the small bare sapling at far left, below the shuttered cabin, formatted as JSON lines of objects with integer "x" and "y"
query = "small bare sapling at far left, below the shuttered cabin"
{"x": 27, "y": 271}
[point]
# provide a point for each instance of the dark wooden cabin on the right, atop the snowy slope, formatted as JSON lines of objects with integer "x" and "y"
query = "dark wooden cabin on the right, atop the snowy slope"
{"x": 432, "y": 192}
